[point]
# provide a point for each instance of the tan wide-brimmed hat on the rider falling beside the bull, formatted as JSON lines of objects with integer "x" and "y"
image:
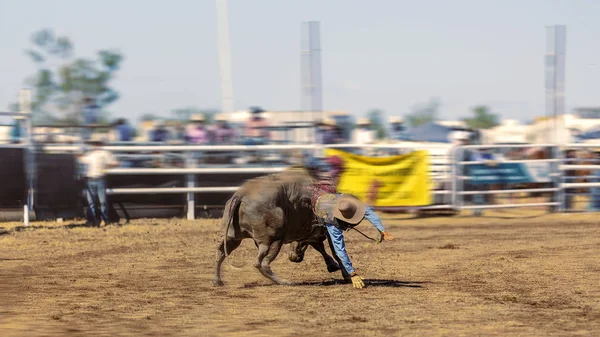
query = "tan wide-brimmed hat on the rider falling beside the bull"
{"x": 344, "y": 207}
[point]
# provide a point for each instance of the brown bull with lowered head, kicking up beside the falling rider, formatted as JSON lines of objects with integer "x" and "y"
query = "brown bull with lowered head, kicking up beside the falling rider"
{"x": 272, "y": 210}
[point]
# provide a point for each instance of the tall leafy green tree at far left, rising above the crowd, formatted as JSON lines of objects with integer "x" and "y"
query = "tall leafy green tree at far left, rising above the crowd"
{"x": 62, "y": 80}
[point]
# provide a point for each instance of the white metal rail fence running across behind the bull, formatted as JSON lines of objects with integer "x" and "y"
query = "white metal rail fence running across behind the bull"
{"x": 449, "y": 171}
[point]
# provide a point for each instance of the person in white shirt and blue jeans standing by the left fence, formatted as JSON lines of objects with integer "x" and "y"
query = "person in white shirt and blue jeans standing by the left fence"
{"x": 97, "y": 161}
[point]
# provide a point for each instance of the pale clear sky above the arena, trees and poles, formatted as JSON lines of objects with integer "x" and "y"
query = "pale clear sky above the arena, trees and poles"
{"x": 387, "y": 54}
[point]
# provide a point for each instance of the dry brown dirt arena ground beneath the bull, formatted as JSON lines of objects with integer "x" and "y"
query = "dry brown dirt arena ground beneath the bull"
{"x": 507, "y": 273}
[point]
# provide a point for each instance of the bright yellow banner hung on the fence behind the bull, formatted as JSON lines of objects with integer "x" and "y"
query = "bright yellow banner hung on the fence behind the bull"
{"x": 386, "y": 181}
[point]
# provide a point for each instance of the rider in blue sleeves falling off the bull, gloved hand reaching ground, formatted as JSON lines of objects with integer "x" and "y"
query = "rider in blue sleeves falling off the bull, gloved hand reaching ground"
{"x": 340, "y": 212}
